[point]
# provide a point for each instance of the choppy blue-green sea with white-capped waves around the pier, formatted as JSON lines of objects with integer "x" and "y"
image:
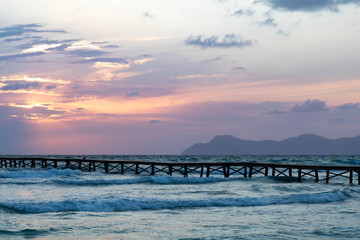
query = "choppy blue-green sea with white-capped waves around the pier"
{"x": 72, "y": 204}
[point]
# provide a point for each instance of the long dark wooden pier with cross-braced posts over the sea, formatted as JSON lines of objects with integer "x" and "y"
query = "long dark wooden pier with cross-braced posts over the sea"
{"x": 227, "y": 169}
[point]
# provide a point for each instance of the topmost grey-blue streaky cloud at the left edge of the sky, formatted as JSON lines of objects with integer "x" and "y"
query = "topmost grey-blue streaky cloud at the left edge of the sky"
{"x": 18, "y": 30}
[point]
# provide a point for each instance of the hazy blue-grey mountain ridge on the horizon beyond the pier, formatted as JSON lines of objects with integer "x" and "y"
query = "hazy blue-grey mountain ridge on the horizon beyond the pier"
{"x": 307, "y": 144}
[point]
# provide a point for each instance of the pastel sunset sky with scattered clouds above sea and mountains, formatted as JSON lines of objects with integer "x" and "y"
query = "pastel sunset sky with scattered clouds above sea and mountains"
{"x": 157, "y": 76}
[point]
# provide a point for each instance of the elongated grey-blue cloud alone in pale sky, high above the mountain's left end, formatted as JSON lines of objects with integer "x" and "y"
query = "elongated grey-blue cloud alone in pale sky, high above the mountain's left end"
{"x": 228, "y": 41}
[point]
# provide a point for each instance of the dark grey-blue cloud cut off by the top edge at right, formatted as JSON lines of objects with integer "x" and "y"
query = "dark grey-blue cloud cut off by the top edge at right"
{"x": 308, "y": 5}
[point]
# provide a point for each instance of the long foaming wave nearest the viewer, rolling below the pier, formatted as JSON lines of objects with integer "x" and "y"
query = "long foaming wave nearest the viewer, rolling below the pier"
{"x": 118, "y": 204}
